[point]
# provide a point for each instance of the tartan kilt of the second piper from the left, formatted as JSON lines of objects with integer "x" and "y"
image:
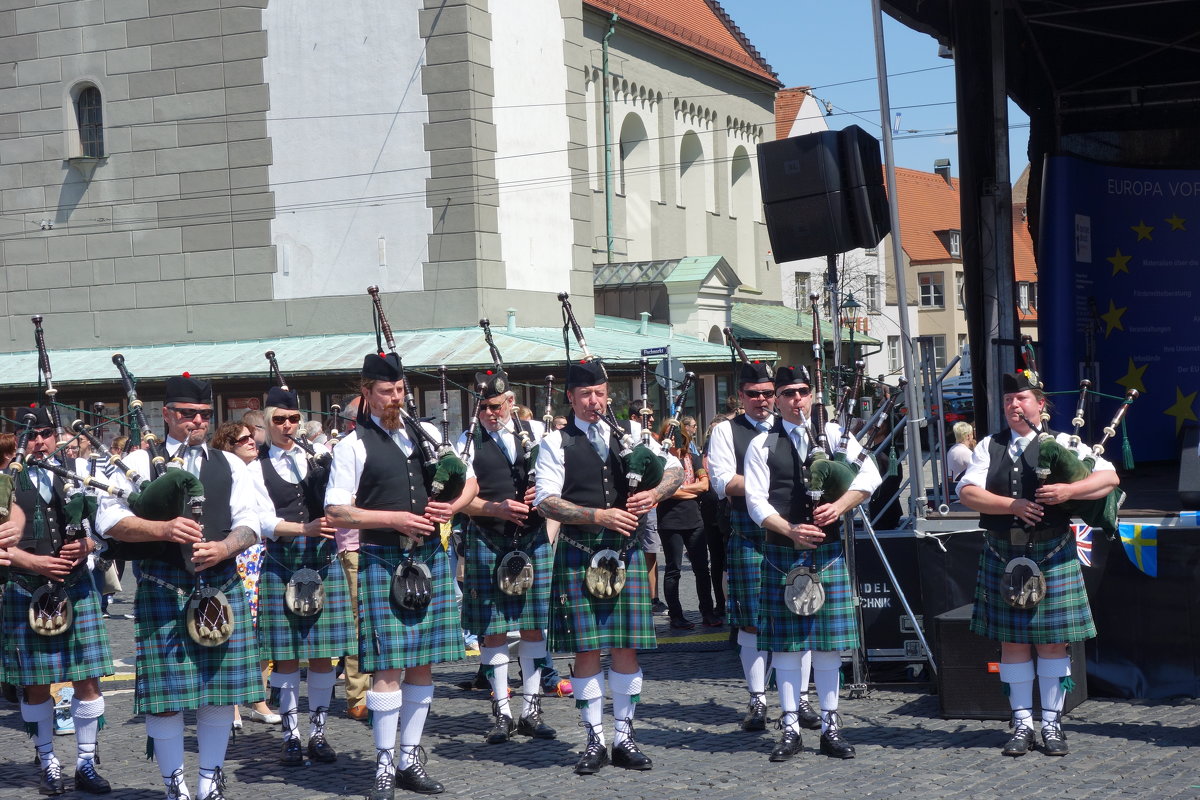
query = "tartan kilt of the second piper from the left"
{"x": 173, "y": 672}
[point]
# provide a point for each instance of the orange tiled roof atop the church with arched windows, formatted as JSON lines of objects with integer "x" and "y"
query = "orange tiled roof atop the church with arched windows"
{"x": 700, "y": 26}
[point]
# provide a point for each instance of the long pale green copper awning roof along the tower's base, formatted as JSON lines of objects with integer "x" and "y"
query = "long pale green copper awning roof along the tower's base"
{"x": 620, "y": 342}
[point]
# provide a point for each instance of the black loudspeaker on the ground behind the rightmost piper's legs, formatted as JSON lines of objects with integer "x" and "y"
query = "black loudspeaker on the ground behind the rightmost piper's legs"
{"x": 969, "y": 685}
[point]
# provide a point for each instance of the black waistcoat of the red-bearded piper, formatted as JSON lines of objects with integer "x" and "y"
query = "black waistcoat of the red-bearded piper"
{"x": 389, "y": 482}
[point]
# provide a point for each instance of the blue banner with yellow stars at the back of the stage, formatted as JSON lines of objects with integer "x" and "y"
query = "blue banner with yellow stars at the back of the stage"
{"x": 1119, "y": 282}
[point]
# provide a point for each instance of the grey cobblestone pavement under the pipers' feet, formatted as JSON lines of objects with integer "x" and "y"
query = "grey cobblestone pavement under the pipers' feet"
{"x": 688, "y": 724}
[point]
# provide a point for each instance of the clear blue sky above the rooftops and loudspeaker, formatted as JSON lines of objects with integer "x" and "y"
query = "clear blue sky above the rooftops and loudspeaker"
{"x": 830, "y": 45}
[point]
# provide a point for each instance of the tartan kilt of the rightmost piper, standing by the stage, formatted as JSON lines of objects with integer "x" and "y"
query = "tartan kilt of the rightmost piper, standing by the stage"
{"x": 1063, "y": 617}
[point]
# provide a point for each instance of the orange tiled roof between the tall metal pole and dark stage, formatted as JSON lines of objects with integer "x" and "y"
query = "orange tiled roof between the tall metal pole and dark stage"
{"x": 927, "y": 204}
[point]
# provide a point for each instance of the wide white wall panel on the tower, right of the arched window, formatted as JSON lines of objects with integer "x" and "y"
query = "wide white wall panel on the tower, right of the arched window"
{"x": 355, "y": 170}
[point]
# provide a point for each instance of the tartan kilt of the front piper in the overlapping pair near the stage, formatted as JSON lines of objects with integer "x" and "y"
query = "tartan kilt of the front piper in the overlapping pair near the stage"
{"x": 833, "y": 628}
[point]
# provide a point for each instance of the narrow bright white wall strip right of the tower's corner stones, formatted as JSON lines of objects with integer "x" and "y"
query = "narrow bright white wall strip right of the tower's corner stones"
{"x": 537, "y": 232}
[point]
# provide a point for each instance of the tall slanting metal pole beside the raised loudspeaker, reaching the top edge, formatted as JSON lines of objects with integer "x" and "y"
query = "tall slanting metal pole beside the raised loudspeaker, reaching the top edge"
{"x": 914, "y": 431}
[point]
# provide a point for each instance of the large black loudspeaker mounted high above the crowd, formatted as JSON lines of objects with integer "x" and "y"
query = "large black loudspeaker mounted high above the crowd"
{"x": 824, "y": 194}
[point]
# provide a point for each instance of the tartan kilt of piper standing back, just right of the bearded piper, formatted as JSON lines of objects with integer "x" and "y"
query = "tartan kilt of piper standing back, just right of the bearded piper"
{"x": 485, "y": 609}
